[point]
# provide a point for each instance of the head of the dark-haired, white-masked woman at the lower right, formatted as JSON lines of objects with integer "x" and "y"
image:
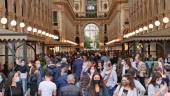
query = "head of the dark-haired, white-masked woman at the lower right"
{"x": 156, "y": 79}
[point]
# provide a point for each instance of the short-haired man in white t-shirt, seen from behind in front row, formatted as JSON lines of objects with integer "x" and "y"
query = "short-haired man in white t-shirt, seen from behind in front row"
{"x": 47, "y": 87}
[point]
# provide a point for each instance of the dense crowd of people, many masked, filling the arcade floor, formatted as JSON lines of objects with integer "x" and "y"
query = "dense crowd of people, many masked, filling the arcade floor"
{"x": 91, "y": 73}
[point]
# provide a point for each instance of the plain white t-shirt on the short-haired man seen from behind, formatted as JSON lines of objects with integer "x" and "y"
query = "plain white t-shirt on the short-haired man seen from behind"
{"x": 47, "y": 88}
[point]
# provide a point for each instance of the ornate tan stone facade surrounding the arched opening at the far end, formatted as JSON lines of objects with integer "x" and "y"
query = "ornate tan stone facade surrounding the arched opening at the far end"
{"x": 111, "y": 16}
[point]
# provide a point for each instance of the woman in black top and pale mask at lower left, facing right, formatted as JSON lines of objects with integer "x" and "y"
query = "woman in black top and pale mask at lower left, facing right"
{"x": 12, "y": 87}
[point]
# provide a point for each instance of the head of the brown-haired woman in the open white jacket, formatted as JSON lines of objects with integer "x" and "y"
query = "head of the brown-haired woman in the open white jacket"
{"x": 127, "y": 80}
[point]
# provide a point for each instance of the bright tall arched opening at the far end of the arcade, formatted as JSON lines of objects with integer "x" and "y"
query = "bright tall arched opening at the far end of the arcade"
{"x": 91, "y": 36}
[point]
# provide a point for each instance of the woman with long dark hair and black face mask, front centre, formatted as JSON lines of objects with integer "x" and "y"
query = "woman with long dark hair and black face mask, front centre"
{"x": 97, "y": 86}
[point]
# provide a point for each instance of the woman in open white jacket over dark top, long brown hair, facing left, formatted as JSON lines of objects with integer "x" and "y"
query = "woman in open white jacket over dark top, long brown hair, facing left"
{"x": 127, "y": 87}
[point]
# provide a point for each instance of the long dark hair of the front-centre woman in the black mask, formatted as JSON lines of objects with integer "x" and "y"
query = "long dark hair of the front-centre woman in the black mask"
{"x": 92, "y": 84}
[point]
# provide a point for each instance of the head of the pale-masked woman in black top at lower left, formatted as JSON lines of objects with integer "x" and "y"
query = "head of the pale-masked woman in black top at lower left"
{"x": 13, "y": 77}
